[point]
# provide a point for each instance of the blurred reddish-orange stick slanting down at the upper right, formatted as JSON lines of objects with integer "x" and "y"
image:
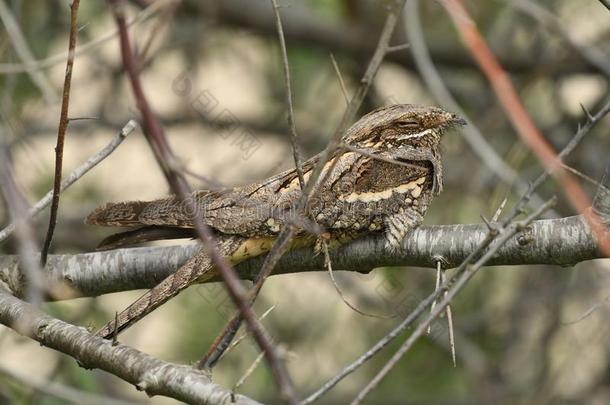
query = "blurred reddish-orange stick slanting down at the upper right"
{"x": 518, "y": 116}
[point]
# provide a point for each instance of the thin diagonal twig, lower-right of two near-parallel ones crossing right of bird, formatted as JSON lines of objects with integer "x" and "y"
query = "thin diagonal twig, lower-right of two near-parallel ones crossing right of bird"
{"x": 469, "y": 271}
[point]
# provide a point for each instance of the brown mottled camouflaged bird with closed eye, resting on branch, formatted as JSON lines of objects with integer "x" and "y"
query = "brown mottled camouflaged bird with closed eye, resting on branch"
{"x": 383, "y": 181}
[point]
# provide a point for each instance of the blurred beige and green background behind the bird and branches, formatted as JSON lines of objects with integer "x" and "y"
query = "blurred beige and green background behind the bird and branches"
{"x": 212, "y": 71}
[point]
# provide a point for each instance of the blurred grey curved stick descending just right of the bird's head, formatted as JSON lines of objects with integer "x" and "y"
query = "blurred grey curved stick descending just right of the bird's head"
{"x": 434, "y": 82}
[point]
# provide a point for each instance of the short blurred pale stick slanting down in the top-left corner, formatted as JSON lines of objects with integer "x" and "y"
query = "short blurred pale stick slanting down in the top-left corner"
{"x": 23, "y": 51}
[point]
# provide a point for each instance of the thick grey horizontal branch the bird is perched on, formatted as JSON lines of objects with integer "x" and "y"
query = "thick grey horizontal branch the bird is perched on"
{"x": 564, "y": 242}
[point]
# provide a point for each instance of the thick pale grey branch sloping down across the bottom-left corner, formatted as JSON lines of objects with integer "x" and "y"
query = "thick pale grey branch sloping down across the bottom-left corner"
{"x": 151, "y": 375}
